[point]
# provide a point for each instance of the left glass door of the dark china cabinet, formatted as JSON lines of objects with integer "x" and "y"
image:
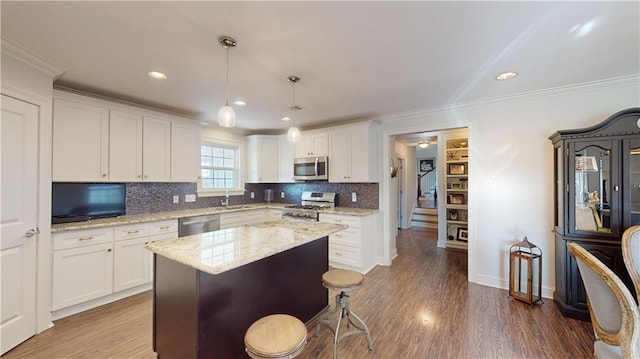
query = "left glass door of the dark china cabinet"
{"x": 592, "y": 195}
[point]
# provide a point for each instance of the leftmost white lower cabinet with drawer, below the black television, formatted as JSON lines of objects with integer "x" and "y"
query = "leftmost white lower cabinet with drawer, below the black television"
{"x": 82, "y": 266}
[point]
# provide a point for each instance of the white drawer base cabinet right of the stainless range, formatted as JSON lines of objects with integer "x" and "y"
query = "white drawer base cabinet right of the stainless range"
{"x": 354, "y": 247}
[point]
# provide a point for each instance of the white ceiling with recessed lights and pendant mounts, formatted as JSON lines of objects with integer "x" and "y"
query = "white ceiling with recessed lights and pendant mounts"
{"x": 355, "y": 59}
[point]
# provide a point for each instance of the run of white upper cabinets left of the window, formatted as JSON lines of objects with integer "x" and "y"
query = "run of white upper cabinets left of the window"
{"x": 100, "y": 141}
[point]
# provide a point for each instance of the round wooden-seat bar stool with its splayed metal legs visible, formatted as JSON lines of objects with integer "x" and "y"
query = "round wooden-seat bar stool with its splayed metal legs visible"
{"x": 343, "y": 280}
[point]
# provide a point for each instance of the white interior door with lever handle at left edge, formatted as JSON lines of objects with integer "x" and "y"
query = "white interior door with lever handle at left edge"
{"x": 18, "y": 221}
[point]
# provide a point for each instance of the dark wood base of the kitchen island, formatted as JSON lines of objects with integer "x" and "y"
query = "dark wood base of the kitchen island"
{"x": 200, "y": 315}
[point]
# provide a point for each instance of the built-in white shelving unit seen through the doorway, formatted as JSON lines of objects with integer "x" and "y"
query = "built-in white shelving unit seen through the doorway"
{"x": 456, "y": 199}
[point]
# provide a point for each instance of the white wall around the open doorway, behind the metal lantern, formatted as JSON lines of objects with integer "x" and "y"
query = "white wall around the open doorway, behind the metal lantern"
{"x": 511, "y": 166}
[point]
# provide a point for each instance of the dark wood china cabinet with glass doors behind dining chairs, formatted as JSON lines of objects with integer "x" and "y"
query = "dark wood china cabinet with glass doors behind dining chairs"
{"x": 597, "y": 196}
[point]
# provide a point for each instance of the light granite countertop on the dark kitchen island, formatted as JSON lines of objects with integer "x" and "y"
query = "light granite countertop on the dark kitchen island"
{"x": 225, "y": 249}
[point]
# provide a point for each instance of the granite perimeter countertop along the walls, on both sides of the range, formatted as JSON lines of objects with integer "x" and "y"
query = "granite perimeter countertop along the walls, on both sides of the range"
{"x": 116, "y": 221}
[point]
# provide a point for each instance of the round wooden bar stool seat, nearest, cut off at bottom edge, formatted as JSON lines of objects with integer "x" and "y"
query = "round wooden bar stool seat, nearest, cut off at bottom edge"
{"x": 275, "y": 336}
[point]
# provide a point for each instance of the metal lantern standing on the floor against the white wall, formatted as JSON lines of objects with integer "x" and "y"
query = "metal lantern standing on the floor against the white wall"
{"x": 525, "y": 272}
